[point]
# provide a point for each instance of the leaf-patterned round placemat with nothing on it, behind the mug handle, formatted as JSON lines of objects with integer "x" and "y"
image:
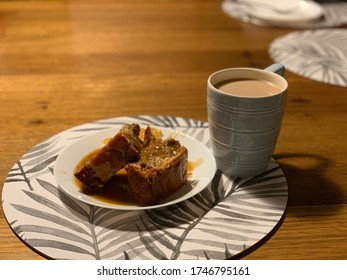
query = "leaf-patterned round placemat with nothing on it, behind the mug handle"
{"x": 320, "y": 55}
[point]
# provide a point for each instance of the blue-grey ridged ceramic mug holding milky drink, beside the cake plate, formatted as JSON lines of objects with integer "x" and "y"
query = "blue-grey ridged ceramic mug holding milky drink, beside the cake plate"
{"x": 244, "y": 129}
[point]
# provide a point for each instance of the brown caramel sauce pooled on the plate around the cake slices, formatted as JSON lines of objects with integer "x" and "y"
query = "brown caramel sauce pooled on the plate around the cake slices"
{"x": 115, "y": 191}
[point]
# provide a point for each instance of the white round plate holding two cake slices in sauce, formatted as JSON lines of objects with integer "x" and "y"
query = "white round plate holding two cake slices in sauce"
{"x": 71, "y": 155}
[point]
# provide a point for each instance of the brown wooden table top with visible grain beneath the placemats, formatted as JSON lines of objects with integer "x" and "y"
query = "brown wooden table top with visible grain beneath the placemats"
{"x": 65, "y": 63}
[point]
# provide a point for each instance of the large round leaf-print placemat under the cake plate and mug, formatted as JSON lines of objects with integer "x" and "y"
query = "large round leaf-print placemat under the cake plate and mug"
{"x": 225, "y": 219}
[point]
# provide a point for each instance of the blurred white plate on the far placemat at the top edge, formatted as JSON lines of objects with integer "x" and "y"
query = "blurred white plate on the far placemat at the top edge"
{"x": 307, "y": 11}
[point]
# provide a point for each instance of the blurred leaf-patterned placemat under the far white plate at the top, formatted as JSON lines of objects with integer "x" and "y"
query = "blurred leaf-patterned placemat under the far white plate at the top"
{"x": 335, "y": 14}
